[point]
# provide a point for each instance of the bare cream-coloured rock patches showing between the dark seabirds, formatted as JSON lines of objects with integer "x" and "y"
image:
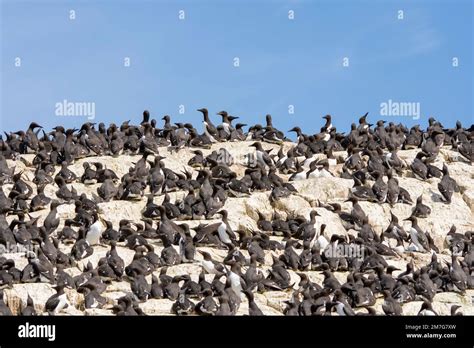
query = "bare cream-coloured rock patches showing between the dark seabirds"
{"x": 244, "y": 214}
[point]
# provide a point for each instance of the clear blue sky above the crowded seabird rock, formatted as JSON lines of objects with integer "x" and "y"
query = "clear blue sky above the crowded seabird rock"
{"x": 190, "y": 62}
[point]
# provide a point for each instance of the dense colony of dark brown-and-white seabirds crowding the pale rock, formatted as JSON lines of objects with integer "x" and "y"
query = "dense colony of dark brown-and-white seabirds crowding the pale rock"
{"x": 293, "y": 244}
